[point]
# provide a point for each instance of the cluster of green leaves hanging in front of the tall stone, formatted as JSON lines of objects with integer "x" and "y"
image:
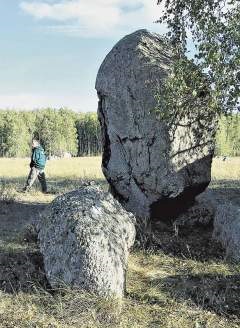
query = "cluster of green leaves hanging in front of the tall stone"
{"x": 186, "y": 88}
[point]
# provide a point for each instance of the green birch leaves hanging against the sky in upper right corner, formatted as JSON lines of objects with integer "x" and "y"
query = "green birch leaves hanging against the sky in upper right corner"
{"x": 214, "y": 27}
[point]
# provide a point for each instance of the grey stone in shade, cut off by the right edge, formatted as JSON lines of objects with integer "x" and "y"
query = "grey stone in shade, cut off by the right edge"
{"x": 227, "y": 229}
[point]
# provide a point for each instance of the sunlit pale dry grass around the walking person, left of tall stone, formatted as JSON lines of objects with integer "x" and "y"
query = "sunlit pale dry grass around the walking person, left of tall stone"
{"x": 62, "y": 175}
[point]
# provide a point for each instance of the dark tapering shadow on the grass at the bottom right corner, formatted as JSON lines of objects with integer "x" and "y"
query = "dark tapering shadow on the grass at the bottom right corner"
{"x": 217, "y": 293}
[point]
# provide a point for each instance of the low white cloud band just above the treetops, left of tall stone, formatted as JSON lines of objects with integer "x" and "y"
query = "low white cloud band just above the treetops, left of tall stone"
{"x": 27, "y": 101}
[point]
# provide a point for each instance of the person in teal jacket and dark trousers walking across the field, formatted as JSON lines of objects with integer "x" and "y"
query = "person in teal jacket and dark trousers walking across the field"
{"x": 37, "y": 166}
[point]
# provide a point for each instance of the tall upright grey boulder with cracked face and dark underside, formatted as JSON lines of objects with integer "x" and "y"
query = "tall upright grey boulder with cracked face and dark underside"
{"x": 152, "y": 173}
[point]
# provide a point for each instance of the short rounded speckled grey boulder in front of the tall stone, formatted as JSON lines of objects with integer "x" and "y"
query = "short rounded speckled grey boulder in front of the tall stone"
{"x": 85, "y": 241}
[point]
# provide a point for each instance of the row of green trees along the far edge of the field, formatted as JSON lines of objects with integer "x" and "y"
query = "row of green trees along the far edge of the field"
{"x": 64, "y": 131}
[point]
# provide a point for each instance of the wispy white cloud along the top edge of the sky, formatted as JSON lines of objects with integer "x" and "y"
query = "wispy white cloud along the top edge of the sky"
{"x": 95, "y": 18}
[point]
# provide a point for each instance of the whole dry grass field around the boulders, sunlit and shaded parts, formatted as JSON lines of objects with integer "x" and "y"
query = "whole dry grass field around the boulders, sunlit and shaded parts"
{"x": 186, "y": 283}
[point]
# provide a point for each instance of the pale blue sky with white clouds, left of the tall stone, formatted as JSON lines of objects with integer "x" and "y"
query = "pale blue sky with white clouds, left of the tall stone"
{"x": 50, "y": 51}
